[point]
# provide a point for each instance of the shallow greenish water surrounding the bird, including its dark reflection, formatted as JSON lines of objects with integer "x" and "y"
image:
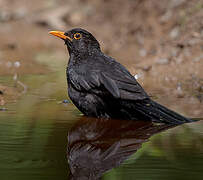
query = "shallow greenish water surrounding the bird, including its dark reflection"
{"x": 35, "y": 132}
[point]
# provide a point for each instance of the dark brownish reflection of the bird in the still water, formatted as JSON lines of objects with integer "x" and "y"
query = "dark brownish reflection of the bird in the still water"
{"x": 96, "y": 146}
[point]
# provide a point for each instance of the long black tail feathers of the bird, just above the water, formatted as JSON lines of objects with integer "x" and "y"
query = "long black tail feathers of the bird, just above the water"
{"x": 161, "y": 114}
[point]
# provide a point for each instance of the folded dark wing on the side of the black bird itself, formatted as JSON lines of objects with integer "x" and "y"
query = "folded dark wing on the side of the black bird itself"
{"x": 109, "y": 79}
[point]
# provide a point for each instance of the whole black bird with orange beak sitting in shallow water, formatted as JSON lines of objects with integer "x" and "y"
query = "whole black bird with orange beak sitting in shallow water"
{"x": 101, "y": 87}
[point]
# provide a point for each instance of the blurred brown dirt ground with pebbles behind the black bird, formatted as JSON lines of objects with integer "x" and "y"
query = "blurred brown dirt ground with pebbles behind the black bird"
{"x": 159, "y": 41}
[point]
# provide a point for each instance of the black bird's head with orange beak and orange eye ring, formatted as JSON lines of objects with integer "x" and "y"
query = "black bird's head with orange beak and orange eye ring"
{"x": 78, "y": 41}
